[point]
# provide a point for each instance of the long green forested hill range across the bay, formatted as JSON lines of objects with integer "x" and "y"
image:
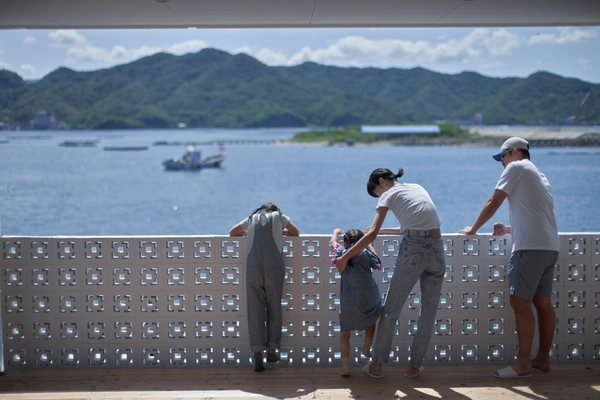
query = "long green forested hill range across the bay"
{"x": 212, "y": 88}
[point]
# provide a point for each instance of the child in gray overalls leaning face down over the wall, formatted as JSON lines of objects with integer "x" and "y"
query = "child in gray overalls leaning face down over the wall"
{"x": 265, "y": 272}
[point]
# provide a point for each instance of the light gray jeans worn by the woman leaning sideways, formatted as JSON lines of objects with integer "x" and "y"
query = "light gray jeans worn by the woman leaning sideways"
{"x": 419, "y": 258}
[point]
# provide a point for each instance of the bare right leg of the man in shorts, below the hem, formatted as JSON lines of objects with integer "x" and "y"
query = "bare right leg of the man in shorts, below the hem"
{"x": 546, "y": 327}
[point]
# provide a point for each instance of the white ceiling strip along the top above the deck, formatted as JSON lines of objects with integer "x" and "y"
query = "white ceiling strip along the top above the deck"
{"x": 115, "y": 14}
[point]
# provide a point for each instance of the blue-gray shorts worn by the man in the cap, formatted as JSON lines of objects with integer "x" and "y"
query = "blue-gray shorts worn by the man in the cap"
{"x": 530, "y": 273}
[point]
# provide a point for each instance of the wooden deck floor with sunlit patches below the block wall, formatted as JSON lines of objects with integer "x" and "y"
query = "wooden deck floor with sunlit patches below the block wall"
{"x": 471, "y": 382}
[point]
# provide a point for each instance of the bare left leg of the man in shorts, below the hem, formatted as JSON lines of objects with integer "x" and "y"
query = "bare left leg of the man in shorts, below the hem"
{"x": 525, "y": 331}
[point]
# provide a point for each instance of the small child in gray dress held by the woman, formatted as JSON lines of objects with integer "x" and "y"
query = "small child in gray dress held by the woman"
{"x": 360, "y": 300}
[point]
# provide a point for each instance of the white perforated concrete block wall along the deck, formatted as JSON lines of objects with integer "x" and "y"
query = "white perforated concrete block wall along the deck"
{"x": 135, "y": 302}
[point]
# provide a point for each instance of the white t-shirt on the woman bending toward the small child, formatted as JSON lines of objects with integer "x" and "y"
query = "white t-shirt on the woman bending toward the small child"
{"x": 412, "y": 205}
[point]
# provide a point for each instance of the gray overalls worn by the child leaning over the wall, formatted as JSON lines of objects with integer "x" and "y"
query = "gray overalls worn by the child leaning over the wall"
{"x": 264, "y": 285}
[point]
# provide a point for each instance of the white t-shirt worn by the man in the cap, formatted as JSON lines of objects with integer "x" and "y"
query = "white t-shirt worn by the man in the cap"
{"x": 530, "y": 206}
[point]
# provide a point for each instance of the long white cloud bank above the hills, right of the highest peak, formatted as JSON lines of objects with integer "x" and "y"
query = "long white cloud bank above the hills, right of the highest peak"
{"x": 478, "y": 45}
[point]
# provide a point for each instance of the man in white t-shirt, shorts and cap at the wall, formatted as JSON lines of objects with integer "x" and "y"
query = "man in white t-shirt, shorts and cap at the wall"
{"x": 535, "y": 247}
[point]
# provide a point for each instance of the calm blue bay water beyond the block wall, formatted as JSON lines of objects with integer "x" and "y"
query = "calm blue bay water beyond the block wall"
{"x": 47, "y": 189}
